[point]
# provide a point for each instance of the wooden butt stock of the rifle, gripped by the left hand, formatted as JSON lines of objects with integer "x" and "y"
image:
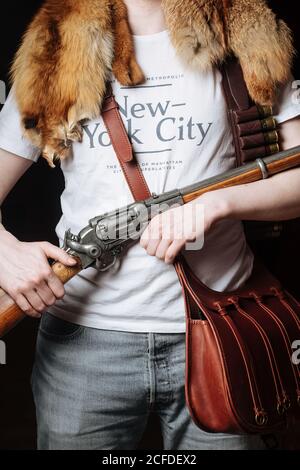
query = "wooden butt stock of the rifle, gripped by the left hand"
{"x": 10, "y": 312}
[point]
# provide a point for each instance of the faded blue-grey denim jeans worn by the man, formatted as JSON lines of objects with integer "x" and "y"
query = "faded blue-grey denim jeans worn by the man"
{"x": 94, "y": 390}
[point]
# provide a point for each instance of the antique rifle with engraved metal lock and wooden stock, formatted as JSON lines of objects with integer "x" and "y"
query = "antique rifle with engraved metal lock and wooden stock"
{"x": 102, "y": 241}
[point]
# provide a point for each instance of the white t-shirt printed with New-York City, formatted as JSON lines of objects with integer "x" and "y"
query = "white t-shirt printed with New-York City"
{"x": 178, "y": 125}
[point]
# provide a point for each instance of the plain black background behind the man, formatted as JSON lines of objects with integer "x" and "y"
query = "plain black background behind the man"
{"x": 32, "y": 211}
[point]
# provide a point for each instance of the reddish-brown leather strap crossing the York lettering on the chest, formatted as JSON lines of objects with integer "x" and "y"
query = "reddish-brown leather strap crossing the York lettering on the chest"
{"x": 123, "y": 148}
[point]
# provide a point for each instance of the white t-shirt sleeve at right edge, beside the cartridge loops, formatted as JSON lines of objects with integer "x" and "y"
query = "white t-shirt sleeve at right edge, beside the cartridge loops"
{"x": 288, "y": 104}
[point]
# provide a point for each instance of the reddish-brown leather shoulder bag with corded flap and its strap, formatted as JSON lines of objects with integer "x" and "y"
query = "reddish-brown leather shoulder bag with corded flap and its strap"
{"x": 239, "y": 372}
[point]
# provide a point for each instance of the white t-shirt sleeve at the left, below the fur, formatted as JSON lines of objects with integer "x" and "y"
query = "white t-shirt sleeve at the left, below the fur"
{"x": 11, "y": 132}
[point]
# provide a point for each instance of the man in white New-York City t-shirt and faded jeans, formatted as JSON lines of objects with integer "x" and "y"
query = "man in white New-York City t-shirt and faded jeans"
{"x": 111, "y": 347}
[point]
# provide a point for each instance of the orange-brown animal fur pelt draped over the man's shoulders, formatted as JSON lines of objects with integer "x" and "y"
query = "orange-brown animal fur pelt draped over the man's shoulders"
{"x": 70, "y": 48}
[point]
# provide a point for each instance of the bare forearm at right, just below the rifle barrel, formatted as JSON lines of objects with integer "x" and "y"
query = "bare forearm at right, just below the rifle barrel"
{"x": 277, "y": 198}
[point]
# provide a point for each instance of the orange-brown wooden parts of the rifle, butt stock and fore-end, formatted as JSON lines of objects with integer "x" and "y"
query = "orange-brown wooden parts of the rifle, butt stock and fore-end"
{"x": 10, "y": 313}
